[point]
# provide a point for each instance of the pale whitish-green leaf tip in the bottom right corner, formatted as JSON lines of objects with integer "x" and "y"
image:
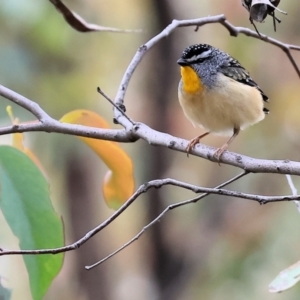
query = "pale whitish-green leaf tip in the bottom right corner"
{"x": 286, "y": 279}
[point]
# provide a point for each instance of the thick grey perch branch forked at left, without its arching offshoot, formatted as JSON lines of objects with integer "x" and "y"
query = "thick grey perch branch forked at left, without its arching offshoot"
{"x": 134, "y": 131}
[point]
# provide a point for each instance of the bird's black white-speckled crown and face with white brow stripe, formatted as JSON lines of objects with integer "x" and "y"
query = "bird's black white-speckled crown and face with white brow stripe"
{"x": 195, "y": 54}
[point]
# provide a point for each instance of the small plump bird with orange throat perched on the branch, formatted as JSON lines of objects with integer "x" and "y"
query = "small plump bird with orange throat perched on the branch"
{"x": 218, "y": 94}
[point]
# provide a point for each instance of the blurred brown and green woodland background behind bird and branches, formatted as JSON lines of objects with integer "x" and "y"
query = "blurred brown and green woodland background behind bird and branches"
{"x": 219, "y": 248}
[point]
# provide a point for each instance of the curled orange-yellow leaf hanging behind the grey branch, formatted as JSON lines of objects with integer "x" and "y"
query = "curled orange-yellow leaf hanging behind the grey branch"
{"x": 118, "y": 183}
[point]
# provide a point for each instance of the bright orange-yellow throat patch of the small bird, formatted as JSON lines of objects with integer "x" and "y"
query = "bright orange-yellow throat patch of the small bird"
{"x": 191, "y": 81}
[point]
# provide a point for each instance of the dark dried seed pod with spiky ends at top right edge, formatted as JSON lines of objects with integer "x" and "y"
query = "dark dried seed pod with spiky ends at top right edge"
{"x": 260, "y": 9}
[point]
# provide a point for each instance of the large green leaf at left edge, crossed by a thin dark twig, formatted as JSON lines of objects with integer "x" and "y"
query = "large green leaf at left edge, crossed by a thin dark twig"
{"x": 26, "y": 205}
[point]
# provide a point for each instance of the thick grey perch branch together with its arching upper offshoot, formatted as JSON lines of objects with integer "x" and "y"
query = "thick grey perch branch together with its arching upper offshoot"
{"x": 134, "y": 131}
